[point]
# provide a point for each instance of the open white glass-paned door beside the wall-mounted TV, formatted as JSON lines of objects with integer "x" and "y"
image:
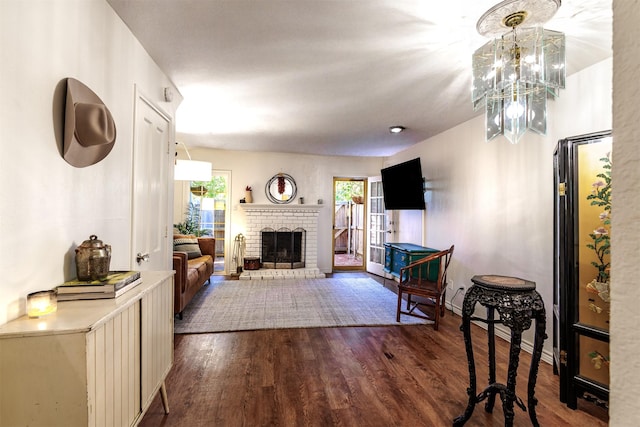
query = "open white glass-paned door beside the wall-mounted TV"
{"x": 376, "y": 227}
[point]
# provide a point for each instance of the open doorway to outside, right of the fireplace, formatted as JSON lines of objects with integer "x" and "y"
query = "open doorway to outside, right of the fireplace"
{"x": 349, "y": 213}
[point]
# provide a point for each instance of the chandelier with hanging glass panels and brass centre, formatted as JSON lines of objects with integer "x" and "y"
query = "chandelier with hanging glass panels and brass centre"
{"x": 522, "y": 66}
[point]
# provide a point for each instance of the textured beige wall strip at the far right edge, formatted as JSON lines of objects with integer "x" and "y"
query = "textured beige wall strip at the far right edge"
{"x": 625, "y": 219}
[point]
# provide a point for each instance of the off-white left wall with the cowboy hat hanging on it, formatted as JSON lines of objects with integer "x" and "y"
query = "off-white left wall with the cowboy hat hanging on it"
{"x": 47, "y": 206}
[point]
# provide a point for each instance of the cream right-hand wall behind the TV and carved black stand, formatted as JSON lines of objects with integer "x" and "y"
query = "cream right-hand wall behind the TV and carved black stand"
{"x": 494, "y": 201}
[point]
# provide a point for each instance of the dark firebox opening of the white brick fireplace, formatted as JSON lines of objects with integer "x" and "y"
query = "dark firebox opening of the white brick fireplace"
{"x": 283, "y": 248}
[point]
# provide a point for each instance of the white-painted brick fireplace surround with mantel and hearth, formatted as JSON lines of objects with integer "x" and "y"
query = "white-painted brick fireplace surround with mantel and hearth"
{"x": 275, "y": 217}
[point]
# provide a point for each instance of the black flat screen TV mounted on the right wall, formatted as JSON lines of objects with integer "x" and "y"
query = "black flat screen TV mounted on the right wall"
{"x": 403, "y": 186}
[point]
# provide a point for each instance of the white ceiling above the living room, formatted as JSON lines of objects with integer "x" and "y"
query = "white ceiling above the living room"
{"x": 330, "y": 76}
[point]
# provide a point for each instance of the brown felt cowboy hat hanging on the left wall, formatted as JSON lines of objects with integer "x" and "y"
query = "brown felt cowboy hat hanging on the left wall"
{"x": 89, "y": 130}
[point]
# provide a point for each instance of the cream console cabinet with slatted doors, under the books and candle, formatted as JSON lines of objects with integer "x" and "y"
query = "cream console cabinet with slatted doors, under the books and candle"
{"x": 92, "y": 363}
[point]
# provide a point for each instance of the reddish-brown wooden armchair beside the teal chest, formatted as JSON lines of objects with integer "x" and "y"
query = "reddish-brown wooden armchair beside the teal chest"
{"x": 426, "y": 279}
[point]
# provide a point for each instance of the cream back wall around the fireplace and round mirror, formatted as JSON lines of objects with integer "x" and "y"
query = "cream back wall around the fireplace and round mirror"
{"x": 313, "y": 175}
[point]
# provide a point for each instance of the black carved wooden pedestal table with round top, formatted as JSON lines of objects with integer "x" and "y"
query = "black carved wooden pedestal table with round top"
{"x": 518, "y": 303}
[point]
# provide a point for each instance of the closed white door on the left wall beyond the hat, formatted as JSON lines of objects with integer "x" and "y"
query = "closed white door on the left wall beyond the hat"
{"x": 151, "y": 158}
